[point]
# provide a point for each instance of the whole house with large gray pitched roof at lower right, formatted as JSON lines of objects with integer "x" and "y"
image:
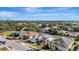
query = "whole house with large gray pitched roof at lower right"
{"x": 63, "y": 43}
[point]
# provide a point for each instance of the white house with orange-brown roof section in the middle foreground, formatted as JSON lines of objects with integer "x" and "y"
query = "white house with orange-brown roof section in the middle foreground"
{"x": 33, "y": 36}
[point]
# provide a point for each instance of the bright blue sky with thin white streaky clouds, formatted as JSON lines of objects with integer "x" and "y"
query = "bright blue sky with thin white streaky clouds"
{"x": 39, "y": 13}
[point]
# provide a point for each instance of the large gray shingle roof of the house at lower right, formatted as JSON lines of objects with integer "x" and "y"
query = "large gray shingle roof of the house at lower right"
{"x": 64, "y": 42}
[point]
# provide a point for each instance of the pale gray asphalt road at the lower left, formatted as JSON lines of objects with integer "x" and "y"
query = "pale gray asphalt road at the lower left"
{"x": 17, "y": 46}
